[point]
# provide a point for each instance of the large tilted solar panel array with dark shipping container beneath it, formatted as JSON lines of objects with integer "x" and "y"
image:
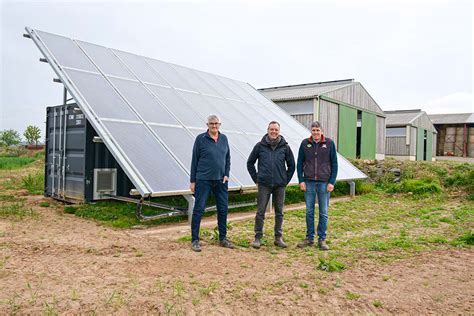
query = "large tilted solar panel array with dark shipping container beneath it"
{"x": 128, "y": 128}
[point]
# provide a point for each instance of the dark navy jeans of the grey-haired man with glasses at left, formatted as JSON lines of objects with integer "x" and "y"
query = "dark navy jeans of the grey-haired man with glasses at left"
{"x": 203, "y": 190}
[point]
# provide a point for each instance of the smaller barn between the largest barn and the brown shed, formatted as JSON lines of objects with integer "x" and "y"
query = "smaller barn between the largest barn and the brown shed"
{"x": 410, "y": 135}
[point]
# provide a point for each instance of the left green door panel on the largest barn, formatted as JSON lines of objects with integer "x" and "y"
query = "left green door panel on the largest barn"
{"x": 347, "y": 132}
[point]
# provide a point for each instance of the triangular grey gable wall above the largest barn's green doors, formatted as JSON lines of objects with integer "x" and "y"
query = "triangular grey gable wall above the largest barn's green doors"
{"x": 355, "y": 95}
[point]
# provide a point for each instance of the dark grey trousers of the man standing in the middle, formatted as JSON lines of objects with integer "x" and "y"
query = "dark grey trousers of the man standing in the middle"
{"x": 262, "y": 200}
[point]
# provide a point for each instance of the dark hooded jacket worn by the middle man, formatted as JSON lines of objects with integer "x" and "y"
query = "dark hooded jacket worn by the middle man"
{"x": 275, "y": 167}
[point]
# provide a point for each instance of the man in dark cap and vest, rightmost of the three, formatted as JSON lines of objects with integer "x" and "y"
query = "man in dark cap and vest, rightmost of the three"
{"x": 317, "y": 171}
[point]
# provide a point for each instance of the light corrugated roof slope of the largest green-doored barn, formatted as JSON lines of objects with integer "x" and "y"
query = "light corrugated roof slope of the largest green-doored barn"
{"x": 304, "y": 91}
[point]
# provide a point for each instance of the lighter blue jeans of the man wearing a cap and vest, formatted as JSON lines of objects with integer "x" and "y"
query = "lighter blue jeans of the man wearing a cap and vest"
{"x": 316, "y": 189}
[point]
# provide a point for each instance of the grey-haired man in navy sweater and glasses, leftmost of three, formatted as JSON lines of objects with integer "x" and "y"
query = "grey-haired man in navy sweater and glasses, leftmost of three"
{"x": 210, "y": 168}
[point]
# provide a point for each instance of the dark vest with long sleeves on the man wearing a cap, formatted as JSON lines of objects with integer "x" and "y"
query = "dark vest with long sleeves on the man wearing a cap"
{"x": 317, "y": 161}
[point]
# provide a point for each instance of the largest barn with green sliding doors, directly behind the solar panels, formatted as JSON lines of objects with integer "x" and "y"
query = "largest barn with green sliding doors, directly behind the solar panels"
{"x": 347, "y": 112}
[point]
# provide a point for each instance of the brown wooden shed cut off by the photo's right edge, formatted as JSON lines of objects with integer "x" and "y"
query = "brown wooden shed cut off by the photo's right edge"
{"x": 455, "y": 134}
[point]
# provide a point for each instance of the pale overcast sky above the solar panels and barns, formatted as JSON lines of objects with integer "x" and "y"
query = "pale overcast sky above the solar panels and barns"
{"x": 407, "y": 54}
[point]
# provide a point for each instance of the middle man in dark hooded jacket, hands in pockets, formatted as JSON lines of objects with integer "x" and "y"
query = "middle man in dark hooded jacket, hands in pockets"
{"x": 276, "y": 166}
